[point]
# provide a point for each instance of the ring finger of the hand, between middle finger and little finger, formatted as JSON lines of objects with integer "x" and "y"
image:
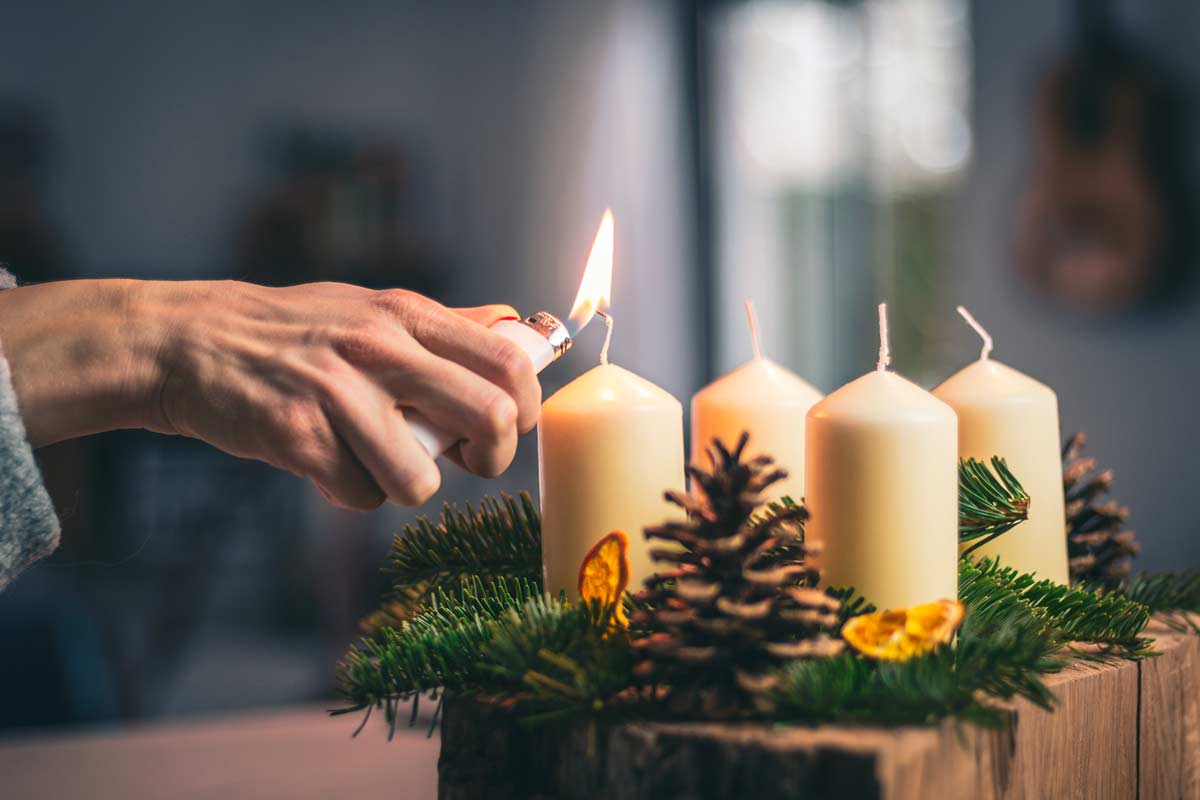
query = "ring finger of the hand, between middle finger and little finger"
{"x": 368, "y": 420}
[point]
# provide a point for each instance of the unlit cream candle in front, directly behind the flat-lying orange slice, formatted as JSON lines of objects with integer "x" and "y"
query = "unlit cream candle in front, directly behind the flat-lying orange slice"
{"x": 883, "y": 489}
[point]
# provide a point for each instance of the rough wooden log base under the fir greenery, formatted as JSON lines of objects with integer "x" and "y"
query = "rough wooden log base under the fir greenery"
{"x": 1120, "y": 731}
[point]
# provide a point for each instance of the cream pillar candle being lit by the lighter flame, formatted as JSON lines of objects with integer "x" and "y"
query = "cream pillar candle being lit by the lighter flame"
{"x": 610, "y": 444}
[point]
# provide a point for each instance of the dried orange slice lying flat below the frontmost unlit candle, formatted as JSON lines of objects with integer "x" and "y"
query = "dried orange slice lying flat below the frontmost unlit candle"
{"x": 899, "y": 635}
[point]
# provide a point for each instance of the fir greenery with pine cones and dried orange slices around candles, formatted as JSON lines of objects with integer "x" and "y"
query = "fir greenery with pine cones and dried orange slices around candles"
{"x": 735, "y": 627}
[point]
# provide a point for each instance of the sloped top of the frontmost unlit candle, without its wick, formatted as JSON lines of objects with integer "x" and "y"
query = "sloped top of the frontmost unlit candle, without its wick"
{"x": 885, "y": 399}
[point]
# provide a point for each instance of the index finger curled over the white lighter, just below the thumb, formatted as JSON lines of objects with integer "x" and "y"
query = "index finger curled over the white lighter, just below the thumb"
{"x": 477, "y": 348}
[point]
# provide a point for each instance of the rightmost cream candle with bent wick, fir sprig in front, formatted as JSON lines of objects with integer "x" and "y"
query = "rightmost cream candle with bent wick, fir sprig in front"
{"x": 1009, "y": 414}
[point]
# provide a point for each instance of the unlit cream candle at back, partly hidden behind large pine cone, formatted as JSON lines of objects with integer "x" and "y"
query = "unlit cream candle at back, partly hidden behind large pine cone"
{"x": 765, "y": 399}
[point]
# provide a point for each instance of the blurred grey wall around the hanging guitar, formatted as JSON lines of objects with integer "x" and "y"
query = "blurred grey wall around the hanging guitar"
{"x": 1131, "y": 383}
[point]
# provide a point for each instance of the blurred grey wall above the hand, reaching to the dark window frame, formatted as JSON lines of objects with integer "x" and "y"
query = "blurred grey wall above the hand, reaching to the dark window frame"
{"x": 527, "y": 118}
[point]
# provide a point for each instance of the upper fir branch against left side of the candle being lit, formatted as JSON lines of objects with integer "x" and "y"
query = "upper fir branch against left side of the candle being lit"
{"x": 502, "y": 539}
